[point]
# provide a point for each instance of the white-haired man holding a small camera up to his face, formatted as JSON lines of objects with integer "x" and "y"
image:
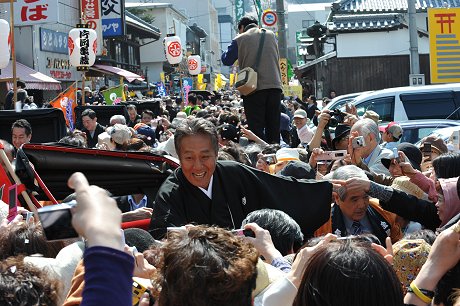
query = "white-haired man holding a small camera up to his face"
{"x": 369, "y": 155}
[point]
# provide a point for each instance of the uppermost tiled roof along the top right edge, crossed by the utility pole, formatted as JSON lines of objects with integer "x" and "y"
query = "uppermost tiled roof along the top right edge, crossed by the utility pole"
{"x": 374, "y": 6}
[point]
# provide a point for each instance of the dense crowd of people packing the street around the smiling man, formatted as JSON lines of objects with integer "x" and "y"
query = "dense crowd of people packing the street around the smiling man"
{"x": 249, "y": 217}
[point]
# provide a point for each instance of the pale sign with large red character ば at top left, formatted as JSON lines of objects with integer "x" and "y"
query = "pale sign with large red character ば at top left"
{"x": 30, "y": 12}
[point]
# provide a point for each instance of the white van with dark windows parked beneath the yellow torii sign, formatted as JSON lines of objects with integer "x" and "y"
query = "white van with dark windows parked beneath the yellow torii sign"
{"x": 409, "y": 103}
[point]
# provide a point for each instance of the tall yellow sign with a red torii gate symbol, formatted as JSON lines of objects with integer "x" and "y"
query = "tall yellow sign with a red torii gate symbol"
{"x": 444, "y": 28}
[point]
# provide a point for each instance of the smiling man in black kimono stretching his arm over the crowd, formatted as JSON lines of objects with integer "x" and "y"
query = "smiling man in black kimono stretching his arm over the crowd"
{"x": 222, "y": 193}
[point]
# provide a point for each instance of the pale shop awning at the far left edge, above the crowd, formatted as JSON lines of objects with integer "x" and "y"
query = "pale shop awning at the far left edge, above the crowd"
{"x": 32, "y": 78}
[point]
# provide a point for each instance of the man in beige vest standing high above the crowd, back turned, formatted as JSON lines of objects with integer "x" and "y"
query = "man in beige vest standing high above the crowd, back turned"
{"x": 262, "y": 108}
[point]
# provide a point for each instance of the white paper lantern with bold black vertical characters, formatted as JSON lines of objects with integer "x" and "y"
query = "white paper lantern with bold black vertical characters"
{"x": 82, "y": 46}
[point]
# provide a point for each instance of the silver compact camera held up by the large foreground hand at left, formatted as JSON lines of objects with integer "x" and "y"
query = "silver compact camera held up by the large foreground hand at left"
{"x": 56, "y": 221}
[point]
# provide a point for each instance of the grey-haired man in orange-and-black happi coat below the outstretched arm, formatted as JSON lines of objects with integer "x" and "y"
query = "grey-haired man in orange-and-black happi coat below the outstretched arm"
{"x": 354, "y": 213}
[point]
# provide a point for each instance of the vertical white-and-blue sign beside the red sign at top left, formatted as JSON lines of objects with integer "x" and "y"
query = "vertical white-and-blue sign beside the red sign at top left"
{"x": 112, "y": 17}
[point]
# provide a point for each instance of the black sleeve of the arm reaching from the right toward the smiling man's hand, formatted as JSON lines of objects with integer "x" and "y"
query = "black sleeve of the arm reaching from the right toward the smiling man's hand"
{"x": 414, "y": 209}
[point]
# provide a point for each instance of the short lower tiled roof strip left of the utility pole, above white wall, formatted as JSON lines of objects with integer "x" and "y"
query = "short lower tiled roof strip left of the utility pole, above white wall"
{"x": 365, "y": 22}
